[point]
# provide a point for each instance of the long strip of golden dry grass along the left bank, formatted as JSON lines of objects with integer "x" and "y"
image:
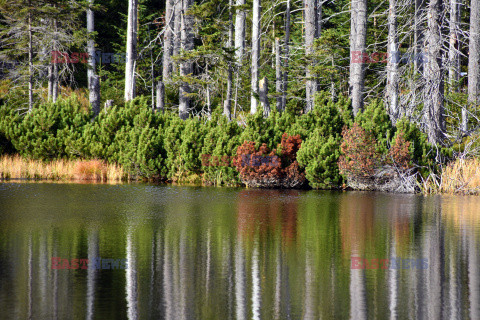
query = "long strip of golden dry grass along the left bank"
{"x": 16, "y": 167}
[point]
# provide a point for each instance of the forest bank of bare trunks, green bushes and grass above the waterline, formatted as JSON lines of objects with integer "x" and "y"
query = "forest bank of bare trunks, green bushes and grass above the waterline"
{"x": 327, "y": 94}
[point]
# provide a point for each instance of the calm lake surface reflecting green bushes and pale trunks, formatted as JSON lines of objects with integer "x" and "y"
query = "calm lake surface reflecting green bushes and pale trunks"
{"x": 214, "y": 253}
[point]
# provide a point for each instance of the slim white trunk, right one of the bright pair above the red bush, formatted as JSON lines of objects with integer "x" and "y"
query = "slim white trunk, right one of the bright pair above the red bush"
{"x": 255, "y": 54}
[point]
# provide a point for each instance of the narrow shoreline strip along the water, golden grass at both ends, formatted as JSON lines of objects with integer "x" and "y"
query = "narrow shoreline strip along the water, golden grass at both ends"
{"x": 461, "y": 177}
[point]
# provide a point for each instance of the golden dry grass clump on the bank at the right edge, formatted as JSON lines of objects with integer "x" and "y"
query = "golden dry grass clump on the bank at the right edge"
{"x": 459, "y": 177}
